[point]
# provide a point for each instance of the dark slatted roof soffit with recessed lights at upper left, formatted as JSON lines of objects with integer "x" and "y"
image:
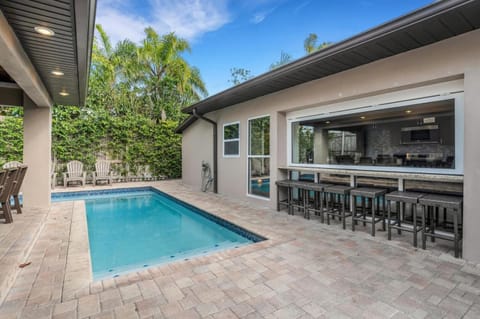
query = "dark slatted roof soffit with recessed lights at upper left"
{"x": 68, "y": 50}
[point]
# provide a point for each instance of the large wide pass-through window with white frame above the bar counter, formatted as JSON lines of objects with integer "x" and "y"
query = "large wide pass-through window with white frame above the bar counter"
{"x": 418, "y": 135}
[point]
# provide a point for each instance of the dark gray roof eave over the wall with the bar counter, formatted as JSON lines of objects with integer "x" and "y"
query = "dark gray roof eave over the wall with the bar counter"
{"x": 430, "y": 24}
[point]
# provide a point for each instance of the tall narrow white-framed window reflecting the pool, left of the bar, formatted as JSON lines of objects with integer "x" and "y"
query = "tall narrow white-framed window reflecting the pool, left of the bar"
{"x": 259, "y": 157}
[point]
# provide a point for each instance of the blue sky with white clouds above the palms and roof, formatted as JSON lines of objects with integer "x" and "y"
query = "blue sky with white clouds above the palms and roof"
{"x": 247, "y": 34}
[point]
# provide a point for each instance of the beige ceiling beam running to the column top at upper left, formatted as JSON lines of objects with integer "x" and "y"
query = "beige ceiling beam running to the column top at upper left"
{"x": 17, "y": 64}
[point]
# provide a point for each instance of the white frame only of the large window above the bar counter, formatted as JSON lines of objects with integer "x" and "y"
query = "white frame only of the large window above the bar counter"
{"x": 459, "y": 134}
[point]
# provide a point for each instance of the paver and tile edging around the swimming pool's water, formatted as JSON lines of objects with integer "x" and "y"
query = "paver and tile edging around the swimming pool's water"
{"x": 78, "y": 273}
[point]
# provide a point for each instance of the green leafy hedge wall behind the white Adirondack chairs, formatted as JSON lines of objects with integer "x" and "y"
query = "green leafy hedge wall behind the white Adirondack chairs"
{"x": 84, "y": 134}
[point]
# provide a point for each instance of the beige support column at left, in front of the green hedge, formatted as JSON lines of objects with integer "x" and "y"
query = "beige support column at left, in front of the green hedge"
{"x": 37, "y": 128}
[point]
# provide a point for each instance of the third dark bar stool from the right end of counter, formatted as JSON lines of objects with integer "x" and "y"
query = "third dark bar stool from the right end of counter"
{"x": 366, "y": 194}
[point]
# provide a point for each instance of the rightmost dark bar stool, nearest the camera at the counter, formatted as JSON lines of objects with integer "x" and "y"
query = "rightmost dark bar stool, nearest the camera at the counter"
{"x": 453, "y": 205}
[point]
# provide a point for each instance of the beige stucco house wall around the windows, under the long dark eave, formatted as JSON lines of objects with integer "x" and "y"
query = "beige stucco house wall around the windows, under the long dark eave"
{"x": 430, "y": 66}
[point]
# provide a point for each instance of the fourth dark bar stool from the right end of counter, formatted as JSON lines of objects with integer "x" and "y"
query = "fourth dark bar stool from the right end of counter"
{"x": 337, "y": 195}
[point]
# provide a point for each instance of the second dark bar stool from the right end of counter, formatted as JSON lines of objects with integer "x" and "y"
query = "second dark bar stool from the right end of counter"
{"x": 401, "y": 199}
